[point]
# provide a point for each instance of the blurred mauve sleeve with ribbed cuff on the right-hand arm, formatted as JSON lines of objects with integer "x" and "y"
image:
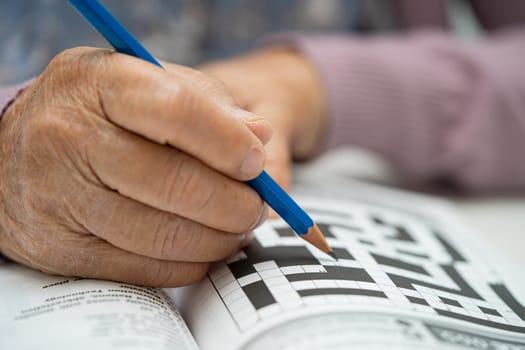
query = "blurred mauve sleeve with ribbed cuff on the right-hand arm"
{"x": 436, "y": 108}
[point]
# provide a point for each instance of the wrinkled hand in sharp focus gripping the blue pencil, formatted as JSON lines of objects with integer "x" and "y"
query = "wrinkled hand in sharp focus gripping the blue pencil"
{"x": 113, "y": 168}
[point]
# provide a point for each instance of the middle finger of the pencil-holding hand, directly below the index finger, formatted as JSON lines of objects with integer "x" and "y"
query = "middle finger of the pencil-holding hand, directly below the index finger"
{"x": 172, "y": 181}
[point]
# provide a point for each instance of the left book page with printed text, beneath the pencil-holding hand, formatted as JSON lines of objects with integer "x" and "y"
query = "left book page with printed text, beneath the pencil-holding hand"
{"x": 39, "y": 311}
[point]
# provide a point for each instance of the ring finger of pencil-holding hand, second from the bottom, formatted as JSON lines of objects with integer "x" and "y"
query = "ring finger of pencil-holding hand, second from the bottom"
{"x": 141, "y": 229}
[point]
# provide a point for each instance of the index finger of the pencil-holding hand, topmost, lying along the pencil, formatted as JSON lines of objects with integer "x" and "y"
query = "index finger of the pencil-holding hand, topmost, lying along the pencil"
{"x": 161, "y": 106}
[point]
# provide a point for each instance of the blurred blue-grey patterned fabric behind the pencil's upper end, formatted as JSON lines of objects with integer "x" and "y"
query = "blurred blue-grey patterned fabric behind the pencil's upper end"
{"x": 182, "y": 31}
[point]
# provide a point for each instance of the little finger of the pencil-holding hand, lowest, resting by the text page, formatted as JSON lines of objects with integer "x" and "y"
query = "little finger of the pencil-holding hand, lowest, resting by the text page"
{"x": 91, "y": 257}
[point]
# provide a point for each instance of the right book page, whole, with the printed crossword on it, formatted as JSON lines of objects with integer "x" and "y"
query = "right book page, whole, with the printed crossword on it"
{"x": 407, "y": 275}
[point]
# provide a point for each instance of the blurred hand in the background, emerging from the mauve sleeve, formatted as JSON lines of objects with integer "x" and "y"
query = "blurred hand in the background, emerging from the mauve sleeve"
{"x": 281, "y": 85}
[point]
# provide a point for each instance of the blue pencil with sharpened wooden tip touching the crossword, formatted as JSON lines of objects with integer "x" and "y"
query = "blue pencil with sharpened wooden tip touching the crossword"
{"x": 268, "y": 189}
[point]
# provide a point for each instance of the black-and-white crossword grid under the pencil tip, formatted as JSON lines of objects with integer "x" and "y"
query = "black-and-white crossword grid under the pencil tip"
{"x": 385, "y": 258}
